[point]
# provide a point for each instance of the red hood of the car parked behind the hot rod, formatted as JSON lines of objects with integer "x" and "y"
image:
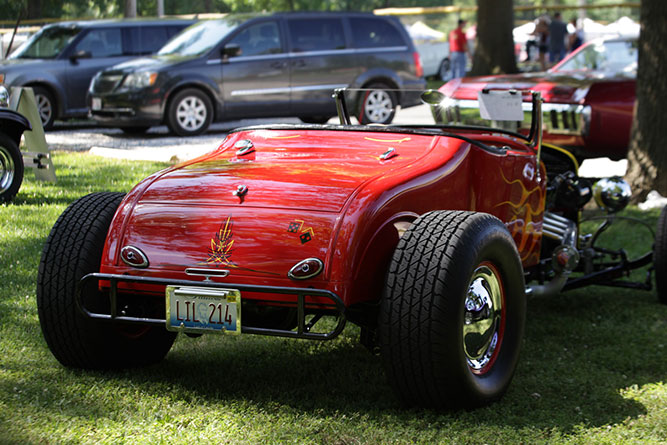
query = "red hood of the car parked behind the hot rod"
{"x": 555, "y": 86}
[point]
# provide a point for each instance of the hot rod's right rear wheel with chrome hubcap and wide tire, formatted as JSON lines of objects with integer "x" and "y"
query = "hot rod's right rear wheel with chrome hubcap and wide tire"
{"x": 453, "y": 311}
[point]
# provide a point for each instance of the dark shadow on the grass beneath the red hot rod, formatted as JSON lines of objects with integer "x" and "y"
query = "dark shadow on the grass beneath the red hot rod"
{"x": 581, "y": 350}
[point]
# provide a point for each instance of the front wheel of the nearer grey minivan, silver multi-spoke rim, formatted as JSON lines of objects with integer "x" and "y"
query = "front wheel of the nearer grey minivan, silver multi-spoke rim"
{"x": 190, "y": 112}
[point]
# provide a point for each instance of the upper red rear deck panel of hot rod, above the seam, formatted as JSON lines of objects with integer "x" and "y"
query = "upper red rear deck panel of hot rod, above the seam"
{"x": 298, "y": 169}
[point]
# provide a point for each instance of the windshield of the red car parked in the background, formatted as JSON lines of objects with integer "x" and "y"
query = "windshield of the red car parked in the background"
{"x": 614, "y": 57}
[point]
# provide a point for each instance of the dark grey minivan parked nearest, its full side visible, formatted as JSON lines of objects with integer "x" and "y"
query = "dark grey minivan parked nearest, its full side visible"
{"x": 262, "y": 66}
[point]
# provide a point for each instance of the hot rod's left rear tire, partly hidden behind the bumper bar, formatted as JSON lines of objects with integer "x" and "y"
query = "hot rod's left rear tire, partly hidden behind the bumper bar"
{"x": 73, "y": 250}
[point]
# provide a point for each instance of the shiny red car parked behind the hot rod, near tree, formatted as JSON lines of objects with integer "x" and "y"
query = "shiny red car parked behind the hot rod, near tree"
{"x": 589, "y": 97}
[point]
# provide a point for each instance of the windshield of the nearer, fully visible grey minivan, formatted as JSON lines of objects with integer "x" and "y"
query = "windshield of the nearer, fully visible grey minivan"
{"x": 198, "y": 39}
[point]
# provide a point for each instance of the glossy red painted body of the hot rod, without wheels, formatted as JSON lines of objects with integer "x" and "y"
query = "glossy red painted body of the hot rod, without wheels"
{"x": 329, "y": 188}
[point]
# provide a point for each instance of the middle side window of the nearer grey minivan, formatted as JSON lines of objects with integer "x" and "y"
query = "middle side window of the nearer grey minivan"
{"x": 314, "y": 34}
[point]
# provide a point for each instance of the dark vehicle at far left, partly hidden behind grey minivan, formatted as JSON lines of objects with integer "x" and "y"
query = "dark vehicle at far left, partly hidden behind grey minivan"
{"x": 59, "y": 61}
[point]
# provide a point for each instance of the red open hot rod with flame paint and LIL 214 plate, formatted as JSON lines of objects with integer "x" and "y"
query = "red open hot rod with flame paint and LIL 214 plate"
{"x": 423, "y": 235}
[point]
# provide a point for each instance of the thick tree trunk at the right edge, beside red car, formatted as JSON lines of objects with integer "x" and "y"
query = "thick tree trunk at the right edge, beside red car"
{"x": 647, "y": 155}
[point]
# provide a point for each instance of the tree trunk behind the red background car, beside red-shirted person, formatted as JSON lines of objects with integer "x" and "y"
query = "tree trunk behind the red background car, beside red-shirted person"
{"x": 494, "y": 48}
